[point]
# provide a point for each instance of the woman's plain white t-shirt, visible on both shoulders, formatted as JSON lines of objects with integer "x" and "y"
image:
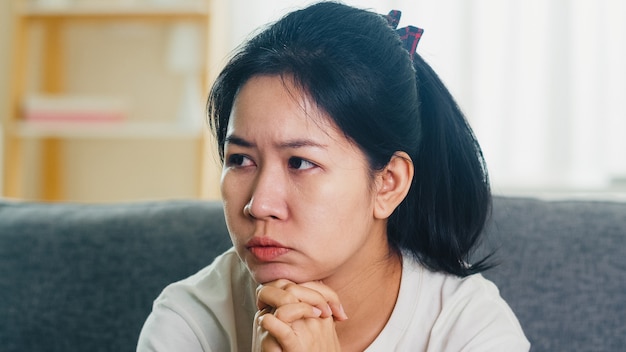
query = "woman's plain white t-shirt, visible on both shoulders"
{"x": 213, "y": 310}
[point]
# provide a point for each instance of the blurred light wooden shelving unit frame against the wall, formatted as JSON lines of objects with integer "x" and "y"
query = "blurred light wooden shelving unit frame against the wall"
{"x": 51, "y": 135}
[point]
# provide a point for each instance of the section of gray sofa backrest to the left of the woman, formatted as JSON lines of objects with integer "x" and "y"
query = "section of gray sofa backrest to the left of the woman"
{"x": 83, "y": 278}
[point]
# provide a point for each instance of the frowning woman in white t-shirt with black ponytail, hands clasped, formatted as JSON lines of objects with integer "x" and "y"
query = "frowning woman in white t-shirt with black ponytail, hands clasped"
{"x": 354, "y": 192}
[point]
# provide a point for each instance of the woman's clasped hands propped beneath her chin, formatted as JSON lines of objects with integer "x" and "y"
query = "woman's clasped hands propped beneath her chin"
{"x": 296, "y": 317}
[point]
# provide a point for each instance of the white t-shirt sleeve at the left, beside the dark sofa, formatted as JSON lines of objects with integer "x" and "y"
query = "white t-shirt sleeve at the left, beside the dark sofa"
{"x": 167, "y": 331}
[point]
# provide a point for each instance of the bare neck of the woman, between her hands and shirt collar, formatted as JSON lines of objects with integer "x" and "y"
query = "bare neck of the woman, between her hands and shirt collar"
{"x": 368, "y": 297}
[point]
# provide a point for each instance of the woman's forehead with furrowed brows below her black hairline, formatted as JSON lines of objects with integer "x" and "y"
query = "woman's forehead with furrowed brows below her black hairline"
{"x": 272, "y": 114}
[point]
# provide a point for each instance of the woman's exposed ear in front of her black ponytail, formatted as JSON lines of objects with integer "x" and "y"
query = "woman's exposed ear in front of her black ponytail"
{"x": 392, "y": 184}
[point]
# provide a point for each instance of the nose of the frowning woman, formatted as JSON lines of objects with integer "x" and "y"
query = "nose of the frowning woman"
{"x": 268, "y": 199}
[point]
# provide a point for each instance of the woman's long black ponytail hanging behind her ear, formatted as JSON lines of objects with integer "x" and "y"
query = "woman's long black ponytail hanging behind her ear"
{"x": 443, "y": 216}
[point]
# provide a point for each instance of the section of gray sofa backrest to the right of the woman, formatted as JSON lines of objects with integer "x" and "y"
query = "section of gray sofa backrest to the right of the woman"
{"x": 563, "y": 271}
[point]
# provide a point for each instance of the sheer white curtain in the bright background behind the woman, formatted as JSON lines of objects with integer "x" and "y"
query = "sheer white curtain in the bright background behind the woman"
{"x": 543, "y": 82}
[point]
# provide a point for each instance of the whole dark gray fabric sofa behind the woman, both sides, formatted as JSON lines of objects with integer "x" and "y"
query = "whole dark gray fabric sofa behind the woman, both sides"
{"x": 77, "y": 277}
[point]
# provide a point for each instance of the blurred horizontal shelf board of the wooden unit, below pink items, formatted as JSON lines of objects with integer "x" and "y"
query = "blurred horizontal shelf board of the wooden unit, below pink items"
{"x": 106, "y": 130}
